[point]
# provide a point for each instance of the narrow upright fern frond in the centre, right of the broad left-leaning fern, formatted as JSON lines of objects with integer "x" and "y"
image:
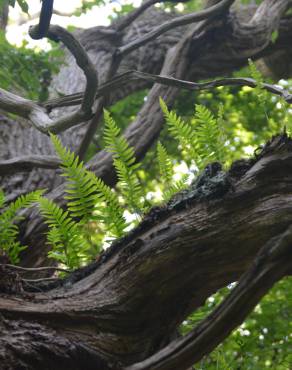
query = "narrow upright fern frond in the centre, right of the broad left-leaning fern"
{"x": 124, "y": 162}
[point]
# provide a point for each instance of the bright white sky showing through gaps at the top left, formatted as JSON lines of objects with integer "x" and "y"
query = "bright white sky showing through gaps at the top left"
{"x": 97, "y": 16}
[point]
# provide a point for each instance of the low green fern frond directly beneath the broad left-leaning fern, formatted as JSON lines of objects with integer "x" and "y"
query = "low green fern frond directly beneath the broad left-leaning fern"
{"x": 65, "y": 235}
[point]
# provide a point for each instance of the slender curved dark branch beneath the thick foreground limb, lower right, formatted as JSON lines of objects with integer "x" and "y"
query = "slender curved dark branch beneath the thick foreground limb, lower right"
{"x": 273, "y": 262}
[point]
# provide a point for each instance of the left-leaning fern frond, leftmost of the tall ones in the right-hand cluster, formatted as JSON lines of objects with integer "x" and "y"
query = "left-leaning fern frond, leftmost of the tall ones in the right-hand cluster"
{"x": 180, "y": 130}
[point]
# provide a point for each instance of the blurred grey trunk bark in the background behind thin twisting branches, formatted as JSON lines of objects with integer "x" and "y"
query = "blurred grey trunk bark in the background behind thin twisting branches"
{"x": 216, "y": 49}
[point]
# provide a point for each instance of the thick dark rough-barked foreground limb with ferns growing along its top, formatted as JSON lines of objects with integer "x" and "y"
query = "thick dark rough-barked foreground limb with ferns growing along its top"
{"x": 181, "y": 253}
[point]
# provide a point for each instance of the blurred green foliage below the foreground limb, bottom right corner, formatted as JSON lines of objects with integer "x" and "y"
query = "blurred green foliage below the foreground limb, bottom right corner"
{"x": 263, "y": 341}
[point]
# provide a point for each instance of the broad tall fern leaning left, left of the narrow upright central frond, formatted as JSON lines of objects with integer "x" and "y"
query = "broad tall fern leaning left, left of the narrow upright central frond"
{"x": 87, "y": 194}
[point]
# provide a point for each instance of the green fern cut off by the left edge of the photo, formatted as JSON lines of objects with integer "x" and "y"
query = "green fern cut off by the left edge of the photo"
{"x": 8, "y": 229}
